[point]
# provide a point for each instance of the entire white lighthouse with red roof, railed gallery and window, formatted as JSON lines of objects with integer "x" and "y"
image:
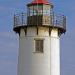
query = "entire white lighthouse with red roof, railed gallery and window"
{"x": 39, "y": 39}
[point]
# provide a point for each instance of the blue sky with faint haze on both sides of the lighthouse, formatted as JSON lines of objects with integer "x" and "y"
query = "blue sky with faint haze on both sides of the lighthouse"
{"x": 9, "y": 43}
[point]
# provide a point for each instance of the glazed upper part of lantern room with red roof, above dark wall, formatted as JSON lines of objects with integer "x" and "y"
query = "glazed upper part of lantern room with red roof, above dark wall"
{"x": 39, "y": 7}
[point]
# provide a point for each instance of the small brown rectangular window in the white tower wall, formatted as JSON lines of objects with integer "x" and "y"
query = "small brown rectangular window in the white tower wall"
{"x": 39, "y": 46}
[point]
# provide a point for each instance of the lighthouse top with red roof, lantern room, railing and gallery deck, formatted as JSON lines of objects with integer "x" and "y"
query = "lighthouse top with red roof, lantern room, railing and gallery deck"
{"x": 40, "y": 13}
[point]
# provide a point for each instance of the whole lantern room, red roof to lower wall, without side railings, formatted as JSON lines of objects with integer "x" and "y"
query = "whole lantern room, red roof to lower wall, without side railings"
{"x": 39, "y": 12}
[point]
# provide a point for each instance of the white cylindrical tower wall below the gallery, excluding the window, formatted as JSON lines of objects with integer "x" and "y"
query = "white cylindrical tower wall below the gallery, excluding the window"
{"x": 34, "y": 63}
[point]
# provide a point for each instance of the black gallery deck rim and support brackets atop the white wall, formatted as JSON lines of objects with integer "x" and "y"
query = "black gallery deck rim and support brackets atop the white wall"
{"x": 60, "y": 30}
